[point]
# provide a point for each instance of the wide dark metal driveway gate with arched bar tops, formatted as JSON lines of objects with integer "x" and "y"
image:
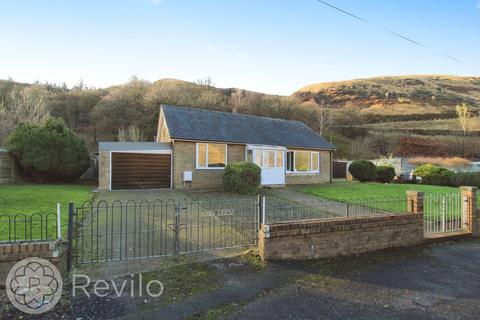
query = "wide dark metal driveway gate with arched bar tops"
{"x": 132, "y": 230}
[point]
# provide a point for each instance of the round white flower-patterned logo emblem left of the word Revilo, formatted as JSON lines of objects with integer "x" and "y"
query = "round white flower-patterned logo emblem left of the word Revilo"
{"x": 34, "y": 285}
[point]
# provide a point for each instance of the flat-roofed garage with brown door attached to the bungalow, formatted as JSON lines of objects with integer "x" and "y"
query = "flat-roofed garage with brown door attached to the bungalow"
{"x": 137, "y": 165}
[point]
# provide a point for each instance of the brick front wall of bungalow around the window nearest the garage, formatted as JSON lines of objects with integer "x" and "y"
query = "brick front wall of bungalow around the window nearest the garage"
{"x": 184, "y": 154}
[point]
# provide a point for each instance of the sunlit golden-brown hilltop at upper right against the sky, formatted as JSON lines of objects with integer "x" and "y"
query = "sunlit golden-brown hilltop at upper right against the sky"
{"x": 398, "y": 98}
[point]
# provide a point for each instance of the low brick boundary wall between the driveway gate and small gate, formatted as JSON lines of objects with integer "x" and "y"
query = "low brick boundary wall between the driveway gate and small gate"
{"x": 319, "y": 239}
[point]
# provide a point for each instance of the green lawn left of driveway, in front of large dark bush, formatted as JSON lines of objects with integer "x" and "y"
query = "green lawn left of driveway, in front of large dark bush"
{"x": 31, "y": 199}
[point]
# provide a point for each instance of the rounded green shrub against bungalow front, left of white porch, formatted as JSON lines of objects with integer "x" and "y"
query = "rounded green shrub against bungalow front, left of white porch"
{"x": 241, "y": 177}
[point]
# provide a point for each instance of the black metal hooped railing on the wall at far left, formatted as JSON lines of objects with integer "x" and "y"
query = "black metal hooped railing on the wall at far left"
{"x": 27, "y": 227}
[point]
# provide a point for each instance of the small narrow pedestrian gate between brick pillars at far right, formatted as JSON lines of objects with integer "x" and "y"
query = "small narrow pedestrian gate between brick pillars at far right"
{"x": 445, "y": 213}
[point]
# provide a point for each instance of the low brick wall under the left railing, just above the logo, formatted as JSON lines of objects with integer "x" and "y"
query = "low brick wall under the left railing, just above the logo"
{"x": 11, "y": 253}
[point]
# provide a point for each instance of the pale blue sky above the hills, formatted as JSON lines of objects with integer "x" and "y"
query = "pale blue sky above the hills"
{"x": 272, "y": 46}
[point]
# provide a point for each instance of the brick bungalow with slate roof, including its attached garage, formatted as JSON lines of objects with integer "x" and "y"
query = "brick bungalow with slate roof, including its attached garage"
{"x": 193, "y": 146}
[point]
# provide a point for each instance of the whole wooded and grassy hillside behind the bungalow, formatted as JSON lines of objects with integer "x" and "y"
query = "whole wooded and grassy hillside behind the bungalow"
{"x": 365, "y": 118}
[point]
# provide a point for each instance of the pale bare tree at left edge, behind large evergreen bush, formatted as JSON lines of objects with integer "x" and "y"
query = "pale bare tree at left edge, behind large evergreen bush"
{"x": 26, "y": 105}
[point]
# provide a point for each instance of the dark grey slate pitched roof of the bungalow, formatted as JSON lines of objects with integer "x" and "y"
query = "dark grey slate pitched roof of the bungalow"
{"x": 205, "y": 125}
